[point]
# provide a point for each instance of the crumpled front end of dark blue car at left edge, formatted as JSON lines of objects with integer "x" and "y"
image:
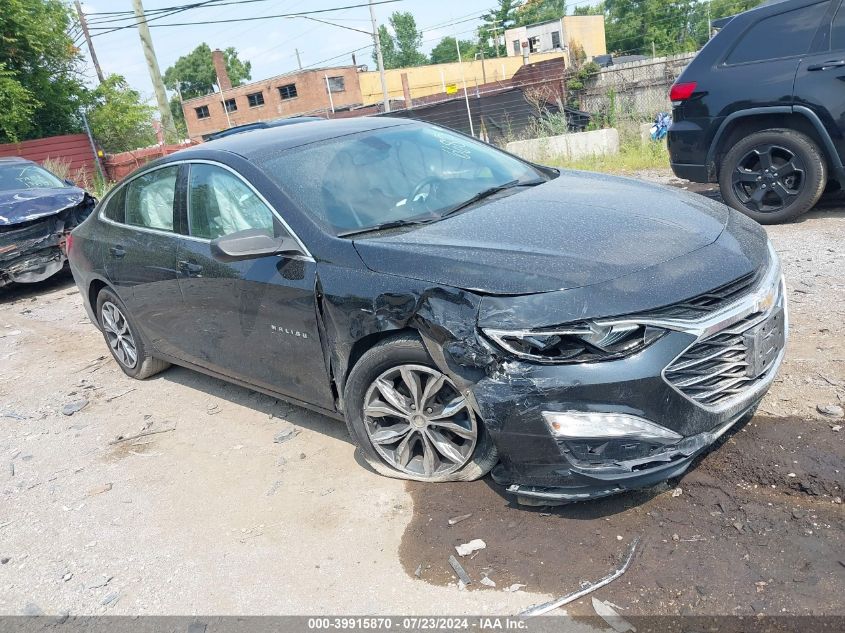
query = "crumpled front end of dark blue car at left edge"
{"x": 33, "y": 245}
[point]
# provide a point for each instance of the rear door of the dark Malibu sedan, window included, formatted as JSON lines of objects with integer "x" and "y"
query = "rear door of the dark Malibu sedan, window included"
{"x": 140, "y": 252}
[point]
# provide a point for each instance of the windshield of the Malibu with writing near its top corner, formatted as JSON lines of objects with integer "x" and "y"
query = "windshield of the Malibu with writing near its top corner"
{"x": 403, "y": 174}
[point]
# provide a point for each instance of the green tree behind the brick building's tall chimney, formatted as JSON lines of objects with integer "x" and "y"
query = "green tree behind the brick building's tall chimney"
{"x": 194, "y": 75}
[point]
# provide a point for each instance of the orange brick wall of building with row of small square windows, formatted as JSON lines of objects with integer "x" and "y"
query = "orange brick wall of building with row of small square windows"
{"x": 312, "y": 95}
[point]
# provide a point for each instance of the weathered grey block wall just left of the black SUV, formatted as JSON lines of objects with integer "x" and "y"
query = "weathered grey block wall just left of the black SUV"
{"x": 640, "y": 89}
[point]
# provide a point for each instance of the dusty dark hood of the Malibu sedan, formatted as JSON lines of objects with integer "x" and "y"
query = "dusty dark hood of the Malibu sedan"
{"x": 577, "y": 230}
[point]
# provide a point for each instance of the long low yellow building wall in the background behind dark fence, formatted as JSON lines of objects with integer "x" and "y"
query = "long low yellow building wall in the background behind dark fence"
{"x": 436, "y": 78}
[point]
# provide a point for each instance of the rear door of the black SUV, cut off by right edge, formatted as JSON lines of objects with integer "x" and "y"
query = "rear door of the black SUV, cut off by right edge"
{"x": 820, "y": 80}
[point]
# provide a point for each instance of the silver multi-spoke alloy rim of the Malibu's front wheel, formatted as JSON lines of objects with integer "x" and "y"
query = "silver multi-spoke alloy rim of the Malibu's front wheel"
{"x": 419, "y": 422}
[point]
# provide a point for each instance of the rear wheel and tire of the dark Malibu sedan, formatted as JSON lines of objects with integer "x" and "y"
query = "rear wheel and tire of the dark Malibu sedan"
{"x": 119, "y": 330}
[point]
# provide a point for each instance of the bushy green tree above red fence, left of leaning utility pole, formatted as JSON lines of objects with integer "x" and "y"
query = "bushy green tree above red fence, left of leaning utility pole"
{"x": 119, "y": 119}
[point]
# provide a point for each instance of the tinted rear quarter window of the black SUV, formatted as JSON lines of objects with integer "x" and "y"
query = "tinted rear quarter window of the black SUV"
{"x": 782, "y": 35}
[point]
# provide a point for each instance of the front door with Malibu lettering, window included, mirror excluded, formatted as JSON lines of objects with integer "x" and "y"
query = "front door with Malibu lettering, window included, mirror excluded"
{"x": 254, "y": 320}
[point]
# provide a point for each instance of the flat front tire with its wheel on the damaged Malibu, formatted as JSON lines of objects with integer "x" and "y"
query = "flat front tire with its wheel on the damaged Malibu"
{"x": 450, "y": 447}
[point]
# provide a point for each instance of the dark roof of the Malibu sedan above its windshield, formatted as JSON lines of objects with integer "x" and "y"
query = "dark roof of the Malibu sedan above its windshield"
{"x": 252, "y": 143}
